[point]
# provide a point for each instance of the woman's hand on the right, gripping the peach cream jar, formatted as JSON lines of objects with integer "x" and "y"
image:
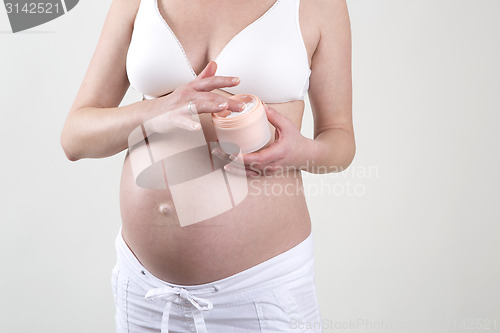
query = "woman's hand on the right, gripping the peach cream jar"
{"x": 286, "y": 153}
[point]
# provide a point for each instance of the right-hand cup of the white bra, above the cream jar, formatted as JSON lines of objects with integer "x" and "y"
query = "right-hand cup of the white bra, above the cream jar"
{"x": 267, "y": 60}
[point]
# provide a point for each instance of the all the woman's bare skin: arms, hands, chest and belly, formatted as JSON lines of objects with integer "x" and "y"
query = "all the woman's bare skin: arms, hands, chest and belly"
{"x": 264, "y": 224}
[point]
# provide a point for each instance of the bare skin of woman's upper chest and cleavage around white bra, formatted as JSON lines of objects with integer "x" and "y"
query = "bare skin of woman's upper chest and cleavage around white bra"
{"x": 205, "y": 28}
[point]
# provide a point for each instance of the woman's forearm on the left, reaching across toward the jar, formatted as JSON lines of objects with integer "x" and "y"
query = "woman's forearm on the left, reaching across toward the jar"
{"x": 92, "y": 132}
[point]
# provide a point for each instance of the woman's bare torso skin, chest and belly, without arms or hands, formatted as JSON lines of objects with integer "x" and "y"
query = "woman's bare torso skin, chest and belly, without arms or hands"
{"x": 265, "y": 224}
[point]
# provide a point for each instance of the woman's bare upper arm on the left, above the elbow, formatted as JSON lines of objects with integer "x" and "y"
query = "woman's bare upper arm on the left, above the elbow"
{"x": 105, "y": 82}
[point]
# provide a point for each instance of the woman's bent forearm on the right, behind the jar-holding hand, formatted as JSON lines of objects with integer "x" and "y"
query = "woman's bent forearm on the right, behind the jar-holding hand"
{"x": 331, "y": 151}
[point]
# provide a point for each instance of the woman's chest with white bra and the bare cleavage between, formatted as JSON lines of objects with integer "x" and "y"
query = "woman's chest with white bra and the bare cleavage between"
{"x": 260, "y": 41}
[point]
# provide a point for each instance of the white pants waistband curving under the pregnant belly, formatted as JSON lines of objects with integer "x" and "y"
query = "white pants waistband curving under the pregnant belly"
{"x": 289, "y": 265}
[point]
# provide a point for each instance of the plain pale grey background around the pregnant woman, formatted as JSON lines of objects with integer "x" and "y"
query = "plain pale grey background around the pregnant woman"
{"x": 410, "y": 235}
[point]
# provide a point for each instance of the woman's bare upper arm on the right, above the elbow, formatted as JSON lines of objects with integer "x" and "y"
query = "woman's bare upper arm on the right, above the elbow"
{"x": 330, "y": 89}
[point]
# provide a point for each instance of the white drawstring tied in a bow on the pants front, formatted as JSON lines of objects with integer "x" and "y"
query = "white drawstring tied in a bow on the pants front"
{"x": 171, "y": 294}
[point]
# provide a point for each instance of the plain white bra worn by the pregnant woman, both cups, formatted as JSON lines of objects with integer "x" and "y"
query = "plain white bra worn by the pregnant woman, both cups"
{"x": 269, "y": 56}
